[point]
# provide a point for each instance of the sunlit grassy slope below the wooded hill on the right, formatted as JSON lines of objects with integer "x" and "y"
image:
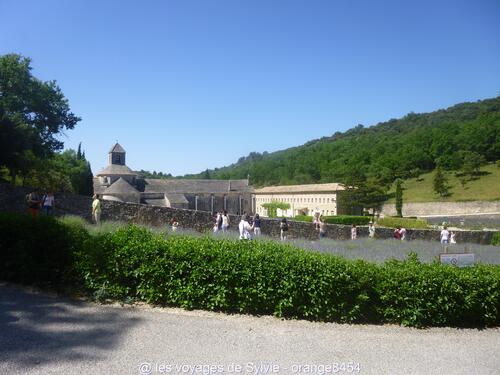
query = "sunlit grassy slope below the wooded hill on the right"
{"x": 486, "y": 187}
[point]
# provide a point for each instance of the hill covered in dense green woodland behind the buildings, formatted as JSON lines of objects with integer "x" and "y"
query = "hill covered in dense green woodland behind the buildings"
{"x": 398, "y": 148}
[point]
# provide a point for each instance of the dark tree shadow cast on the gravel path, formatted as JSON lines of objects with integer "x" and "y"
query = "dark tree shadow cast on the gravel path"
{"x": 38, "y": 328}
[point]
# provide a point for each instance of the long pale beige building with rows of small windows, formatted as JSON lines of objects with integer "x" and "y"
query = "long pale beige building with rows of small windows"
{"x": 303, "y": 199}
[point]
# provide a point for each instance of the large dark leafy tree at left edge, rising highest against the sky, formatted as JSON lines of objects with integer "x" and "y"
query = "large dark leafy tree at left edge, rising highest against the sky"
{"x": 32, "y": 114}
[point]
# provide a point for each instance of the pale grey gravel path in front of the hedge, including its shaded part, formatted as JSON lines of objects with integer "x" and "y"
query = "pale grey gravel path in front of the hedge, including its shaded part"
{"x": 46, "y": 334}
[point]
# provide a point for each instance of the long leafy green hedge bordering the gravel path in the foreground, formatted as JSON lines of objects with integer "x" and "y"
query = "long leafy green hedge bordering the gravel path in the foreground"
{"x": 254, "y": 277}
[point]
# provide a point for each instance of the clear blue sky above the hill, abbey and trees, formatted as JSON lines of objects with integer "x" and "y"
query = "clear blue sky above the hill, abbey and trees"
{"x": 189, "y": 85}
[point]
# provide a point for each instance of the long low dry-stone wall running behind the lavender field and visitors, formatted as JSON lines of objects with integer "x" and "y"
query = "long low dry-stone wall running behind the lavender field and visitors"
{"x": 13, "y": 199}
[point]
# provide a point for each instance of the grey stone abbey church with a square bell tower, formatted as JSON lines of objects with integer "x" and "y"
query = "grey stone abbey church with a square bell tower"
{"x": 117, "y": 182}
